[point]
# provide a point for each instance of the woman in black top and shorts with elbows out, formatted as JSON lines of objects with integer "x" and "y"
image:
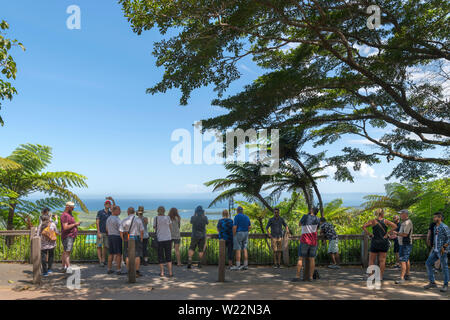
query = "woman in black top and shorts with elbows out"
{"x": 380, "y": 239}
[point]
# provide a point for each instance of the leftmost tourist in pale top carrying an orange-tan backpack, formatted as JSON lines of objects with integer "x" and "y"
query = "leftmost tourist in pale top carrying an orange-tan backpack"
{"x": 47, "y": 232}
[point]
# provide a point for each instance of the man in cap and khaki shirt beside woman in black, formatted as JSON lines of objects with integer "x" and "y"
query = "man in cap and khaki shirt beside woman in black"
{"x": 405, "y": 242}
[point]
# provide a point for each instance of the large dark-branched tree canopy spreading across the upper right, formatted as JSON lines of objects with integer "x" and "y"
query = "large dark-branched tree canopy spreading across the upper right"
{"x": 326, "y": 70}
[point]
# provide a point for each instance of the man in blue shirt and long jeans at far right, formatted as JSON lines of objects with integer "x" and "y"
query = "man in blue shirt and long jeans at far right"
{"x": 440, "y": 251}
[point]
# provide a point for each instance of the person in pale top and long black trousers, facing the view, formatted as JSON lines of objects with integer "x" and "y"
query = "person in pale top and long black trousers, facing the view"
{"x": 161, "y": 224}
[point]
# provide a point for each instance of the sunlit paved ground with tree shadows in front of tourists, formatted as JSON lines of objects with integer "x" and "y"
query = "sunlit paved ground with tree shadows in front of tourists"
{"x": 256, "y": 283}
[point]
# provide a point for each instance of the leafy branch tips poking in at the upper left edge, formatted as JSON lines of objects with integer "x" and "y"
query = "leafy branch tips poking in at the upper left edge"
{"x": 8, "y": 66}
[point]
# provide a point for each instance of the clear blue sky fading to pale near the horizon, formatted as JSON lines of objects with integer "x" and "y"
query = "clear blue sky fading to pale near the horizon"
{"x": 82, "y": 92}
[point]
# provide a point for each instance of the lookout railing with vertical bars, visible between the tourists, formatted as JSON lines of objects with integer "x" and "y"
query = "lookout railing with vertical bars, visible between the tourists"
{"x": 15, "y": 246}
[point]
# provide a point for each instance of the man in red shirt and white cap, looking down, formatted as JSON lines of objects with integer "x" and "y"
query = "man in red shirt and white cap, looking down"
{"x": 69, "y": 231}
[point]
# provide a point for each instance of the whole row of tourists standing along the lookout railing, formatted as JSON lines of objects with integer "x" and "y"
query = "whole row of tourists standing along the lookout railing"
{"x": 113, "y": 235}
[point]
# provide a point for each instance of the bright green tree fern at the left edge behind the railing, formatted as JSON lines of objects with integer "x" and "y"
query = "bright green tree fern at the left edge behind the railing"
{"x": 28, "y": 178}
